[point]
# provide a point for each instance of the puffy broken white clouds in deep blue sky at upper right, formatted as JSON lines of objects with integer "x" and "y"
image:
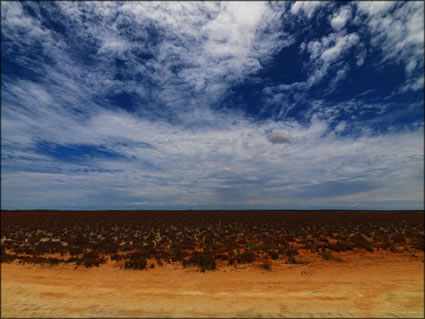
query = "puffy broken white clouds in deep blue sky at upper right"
{"x": 396, "y": 30}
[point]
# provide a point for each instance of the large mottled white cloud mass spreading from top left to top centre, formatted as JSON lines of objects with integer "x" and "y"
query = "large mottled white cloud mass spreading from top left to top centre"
{"x": 203, "y": 48}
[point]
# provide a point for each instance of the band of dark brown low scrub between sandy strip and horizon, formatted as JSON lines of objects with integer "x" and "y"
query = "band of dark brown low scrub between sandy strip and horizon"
{"x": 204, "y": 239}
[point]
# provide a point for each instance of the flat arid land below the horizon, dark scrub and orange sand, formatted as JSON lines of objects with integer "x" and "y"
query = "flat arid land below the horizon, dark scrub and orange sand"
{"x": 212, "y": 264}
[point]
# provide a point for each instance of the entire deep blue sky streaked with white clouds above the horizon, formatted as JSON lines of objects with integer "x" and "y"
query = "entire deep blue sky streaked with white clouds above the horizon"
{"x": 212, "y": 105}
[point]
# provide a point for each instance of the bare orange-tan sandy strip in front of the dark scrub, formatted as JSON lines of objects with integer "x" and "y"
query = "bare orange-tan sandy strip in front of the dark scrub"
{"x": 374, "y": 285}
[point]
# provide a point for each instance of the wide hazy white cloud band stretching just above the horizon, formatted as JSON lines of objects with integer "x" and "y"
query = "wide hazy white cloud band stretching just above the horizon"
{"x": 185, "y": 158}
